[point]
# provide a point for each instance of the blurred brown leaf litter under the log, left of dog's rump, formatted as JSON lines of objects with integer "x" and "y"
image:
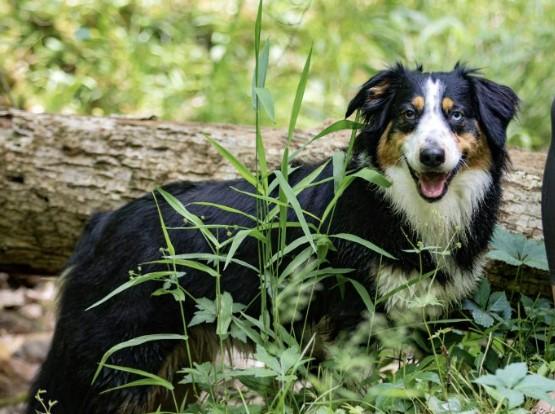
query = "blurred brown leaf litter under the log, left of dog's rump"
{"x": 27, "y": 313}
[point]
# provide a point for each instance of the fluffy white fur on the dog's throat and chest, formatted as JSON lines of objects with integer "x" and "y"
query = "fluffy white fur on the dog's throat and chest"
{"x": 439, "y": 226}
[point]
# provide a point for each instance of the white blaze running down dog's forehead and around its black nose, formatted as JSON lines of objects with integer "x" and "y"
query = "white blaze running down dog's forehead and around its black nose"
{"x": 432, "y": 130}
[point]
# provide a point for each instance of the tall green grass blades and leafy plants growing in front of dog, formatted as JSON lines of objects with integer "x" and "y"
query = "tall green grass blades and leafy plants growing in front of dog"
{"x": 493, "y": 355}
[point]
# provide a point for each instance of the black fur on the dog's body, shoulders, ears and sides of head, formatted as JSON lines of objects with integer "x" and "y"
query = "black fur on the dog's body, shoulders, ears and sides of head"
{"x": 116, "y": 242}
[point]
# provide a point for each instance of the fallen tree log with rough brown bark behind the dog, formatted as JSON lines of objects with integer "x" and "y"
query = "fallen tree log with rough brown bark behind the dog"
{"x": 55, "y": 170}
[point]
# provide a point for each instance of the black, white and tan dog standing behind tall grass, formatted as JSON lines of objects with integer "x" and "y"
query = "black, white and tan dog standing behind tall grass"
{"x": 439, "y": 138}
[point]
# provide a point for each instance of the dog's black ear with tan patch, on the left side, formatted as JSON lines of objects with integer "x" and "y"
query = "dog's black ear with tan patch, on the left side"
{"x": 375, "y": 96}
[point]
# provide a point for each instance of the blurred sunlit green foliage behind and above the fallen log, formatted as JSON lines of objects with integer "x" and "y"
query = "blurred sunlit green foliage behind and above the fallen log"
{"x": 193, "y": 59}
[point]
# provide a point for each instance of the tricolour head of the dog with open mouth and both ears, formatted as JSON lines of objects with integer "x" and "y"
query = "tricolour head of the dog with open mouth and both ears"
{"x": 435, "y": 125}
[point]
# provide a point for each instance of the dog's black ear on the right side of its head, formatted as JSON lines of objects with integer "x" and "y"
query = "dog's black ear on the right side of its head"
{"x": 497, "y": 106}
